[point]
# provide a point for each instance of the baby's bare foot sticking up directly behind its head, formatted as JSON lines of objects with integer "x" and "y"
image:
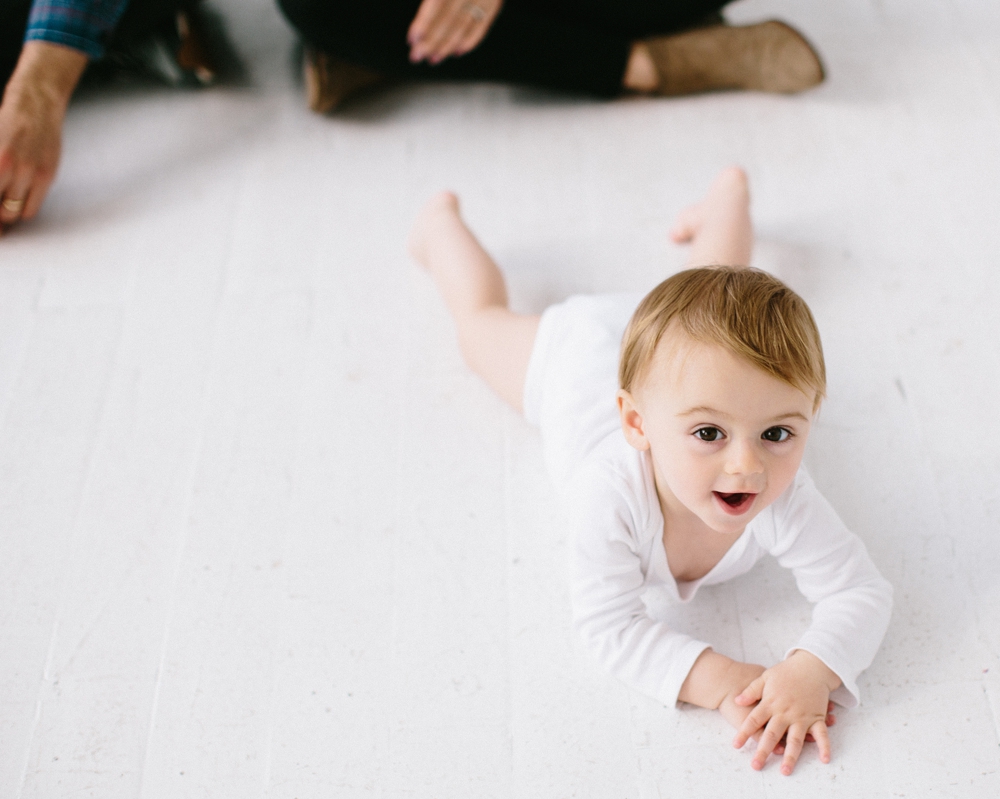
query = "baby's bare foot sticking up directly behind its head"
{"x": 719, "y": 227}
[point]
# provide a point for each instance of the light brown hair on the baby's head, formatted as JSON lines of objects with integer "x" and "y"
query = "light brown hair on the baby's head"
{"x": 748, "y": 312}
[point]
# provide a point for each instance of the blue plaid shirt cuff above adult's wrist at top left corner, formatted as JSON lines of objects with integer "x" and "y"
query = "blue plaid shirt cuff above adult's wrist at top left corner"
{"x": 81, "y": 24}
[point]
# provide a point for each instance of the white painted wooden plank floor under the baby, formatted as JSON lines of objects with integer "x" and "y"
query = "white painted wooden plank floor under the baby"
{"x": 263, "y": 535}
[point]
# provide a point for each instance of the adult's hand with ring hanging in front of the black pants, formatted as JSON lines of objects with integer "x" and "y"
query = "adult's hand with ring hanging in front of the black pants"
{"x": 445, "y": 28}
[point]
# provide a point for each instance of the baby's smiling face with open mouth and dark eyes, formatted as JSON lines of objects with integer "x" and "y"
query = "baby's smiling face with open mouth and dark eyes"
{"x": 726, "y": 438}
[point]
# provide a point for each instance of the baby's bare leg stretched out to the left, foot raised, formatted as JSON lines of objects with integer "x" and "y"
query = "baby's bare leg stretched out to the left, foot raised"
{"x": 495, "y": 341}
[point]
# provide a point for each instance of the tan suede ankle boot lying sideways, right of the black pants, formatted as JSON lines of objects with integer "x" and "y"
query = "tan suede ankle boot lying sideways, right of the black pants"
{"x": 767, "y": 57}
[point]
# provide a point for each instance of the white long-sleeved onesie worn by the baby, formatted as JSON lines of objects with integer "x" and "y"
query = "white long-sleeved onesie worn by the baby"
{"x": 609, "y": 497}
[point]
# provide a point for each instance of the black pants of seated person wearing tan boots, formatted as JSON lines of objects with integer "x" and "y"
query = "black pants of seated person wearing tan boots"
{"x": 568, "y": 45}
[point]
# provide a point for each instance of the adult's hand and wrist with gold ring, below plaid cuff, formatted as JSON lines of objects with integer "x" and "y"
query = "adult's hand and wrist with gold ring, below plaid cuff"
{"x": 31, "y": 118}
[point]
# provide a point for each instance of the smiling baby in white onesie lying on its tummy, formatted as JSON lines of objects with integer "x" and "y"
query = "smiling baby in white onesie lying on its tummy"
{"x": 694, "y": 475}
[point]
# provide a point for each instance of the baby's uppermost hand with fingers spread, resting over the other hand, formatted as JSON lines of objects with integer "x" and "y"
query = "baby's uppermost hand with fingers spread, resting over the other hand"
{"x": 792, "y": 701}
